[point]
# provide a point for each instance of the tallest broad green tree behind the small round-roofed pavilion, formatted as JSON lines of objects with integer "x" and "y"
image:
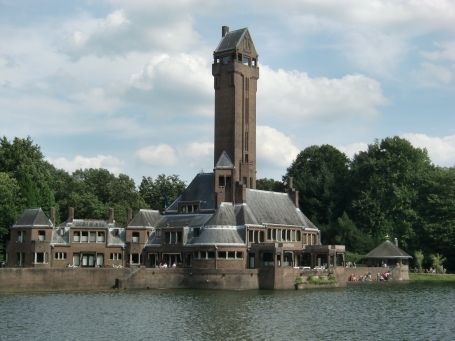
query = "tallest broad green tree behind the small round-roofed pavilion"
{"x": 385, "y": 183}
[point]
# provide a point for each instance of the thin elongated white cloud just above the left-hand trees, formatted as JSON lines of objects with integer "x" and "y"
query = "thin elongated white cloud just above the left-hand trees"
{"x": 112, "y": 164}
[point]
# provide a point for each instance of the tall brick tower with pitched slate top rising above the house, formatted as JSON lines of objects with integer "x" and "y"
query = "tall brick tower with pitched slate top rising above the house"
{"x": 235, "y": 71}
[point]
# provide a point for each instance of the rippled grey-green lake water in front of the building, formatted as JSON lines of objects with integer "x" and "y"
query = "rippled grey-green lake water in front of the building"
{"x": 361, "y": 311}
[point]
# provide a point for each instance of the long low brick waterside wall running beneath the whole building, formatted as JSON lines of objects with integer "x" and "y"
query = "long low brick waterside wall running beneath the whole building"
{"x": 31, "y": 279}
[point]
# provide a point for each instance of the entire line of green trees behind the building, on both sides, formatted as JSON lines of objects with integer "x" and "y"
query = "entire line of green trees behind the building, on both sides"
{"x": 391, "y": 189}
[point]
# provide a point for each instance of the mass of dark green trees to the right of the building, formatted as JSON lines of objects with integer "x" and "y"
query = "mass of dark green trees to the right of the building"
{"x": 391, "y": 189}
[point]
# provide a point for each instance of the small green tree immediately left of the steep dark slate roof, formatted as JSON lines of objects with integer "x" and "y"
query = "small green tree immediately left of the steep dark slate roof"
{"x": 154, "y": 191}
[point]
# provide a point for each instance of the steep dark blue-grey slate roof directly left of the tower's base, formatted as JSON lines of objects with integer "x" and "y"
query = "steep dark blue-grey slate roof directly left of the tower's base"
{"x": 200, "y": 189}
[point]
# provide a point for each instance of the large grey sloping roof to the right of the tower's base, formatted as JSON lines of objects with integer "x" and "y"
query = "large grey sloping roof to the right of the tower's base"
{"x": 265, "y": 207}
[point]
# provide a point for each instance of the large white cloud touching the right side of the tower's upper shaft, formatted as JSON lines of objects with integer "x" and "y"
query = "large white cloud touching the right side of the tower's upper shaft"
{"x": 296, "y": 96}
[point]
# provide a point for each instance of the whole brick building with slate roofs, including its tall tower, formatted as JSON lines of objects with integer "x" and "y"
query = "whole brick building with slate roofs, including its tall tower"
{"x": 220, "y": 221}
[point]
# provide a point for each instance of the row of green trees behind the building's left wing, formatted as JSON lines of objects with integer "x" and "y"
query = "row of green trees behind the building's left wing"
{"x": 28, "y": 180}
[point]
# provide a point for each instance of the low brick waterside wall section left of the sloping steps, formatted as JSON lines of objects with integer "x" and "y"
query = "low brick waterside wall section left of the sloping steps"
{"x": 26, "y": 279}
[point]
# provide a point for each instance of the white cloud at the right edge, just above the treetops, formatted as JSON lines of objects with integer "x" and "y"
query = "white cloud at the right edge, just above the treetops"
{"x": 441, "y": 150}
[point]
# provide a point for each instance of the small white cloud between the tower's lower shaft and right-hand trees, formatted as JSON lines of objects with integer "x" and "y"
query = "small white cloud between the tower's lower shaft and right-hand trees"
{"x": 274, "y": 148}
